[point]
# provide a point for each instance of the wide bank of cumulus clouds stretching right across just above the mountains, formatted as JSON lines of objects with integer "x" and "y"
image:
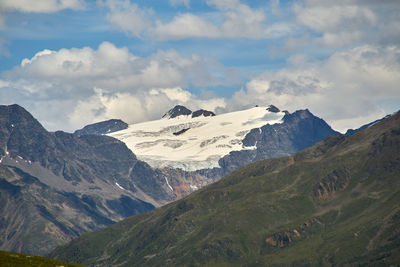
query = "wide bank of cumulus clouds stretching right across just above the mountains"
{"x": 70, "y": 88}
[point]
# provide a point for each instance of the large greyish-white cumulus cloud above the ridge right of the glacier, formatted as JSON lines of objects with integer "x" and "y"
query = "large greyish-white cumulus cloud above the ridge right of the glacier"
{"x": 345, "y": 89}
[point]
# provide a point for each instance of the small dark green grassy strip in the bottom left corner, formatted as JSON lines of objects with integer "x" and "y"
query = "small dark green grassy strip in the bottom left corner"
{"x": 12, "y": 259}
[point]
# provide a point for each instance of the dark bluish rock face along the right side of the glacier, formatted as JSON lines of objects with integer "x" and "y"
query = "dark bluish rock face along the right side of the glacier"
{"x": 298, "y": 131}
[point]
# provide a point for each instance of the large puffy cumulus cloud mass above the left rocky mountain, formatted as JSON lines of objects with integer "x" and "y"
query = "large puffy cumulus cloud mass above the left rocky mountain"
{"x": 69, "y": 88}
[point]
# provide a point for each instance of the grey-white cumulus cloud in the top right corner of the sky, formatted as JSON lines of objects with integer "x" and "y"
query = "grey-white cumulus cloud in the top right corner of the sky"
{"x": 348, "y": 22}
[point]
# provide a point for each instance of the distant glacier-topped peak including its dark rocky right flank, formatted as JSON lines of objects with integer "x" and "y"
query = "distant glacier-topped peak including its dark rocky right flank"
{"x": 226, "y": 141}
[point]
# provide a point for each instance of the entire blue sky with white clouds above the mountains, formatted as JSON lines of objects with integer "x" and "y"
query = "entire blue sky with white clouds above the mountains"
{"x": 75, "y": 62}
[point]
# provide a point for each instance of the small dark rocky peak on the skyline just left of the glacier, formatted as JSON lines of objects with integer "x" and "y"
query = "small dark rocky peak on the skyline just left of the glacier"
{"x": 103, "y": 127}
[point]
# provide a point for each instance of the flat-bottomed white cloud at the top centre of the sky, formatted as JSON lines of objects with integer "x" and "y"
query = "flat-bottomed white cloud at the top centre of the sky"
{"x": 235, "y": 20}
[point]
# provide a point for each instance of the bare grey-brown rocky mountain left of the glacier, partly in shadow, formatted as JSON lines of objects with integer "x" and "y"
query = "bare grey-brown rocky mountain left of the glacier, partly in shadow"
{"x": 56, "y": 186}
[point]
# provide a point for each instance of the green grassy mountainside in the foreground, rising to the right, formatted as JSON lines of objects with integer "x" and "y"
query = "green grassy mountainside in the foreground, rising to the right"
{"x": 336, "y": 203}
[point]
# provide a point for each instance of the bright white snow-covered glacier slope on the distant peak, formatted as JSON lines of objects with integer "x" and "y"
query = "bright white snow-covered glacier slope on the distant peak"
{"x": 194, "y": 143}
